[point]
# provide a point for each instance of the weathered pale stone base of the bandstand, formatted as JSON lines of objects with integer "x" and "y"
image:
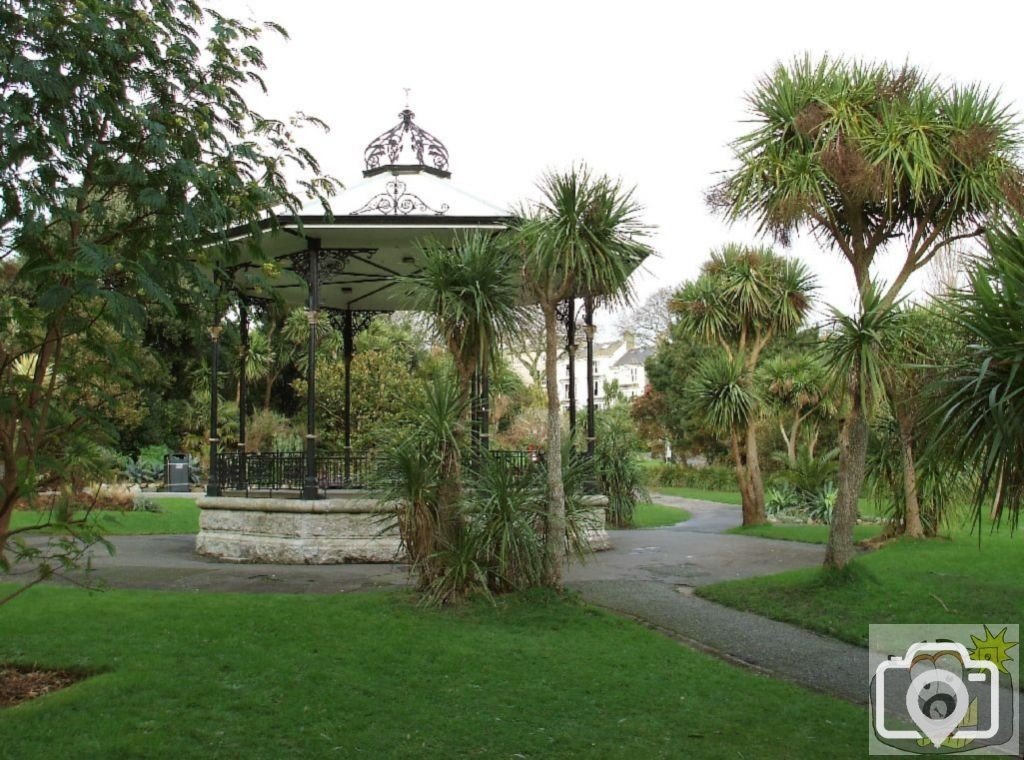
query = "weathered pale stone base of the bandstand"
{"x": 353, "y": 528}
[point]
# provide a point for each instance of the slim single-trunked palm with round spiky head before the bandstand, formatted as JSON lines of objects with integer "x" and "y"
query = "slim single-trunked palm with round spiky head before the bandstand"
{"x": 582, "y": 239}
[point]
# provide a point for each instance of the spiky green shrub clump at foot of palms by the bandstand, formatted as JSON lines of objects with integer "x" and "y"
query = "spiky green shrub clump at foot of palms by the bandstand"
{"x": 498, "y": 542}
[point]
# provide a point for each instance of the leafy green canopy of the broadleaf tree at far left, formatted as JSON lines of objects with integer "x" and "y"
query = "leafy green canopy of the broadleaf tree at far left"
{"x": 127, "y": 150}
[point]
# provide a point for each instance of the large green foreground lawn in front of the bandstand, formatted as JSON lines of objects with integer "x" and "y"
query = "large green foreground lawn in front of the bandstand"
{"x": 372, "y": 675}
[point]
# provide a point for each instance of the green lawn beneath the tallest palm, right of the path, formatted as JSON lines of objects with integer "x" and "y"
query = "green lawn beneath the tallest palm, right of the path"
{"x": 929, "y": 581}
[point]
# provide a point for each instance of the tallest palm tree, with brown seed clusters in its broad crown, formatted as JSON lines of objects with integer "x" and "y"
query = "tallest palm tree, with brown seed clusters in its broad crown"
{"x": 869, "y": 157}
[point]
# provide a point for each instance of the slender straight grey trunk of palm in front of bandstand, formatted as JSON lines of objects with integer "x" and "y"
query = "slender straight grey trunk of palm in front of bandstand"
{"x": 556, "y": 537}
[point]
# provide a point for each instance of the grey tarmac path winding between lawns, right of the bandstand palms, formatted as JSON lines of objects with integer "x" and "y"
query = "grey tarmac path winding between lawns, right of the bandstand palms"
{"x": 651, "y": 575}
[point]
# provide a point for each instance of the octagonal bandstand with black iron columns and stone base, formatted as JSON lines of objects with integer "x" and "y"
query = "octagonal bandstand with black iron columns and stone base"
{"x": 316, "y": 508}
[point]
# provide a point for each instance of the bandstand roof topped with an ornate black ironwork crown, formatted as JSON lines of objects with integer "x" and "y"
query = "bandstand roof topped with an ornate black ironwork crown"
{"x": 407, "y": 195}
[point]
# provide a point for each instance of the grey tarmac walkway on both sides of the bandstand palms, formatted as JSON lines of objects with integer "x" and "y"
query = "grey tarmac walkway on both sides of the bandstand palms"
{"x": 650, "y": 575}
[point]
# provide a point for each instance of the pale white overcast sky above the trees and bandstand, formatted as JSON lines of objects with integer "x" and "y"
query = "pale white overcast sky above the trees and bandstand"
{"x": 649, "y": 92}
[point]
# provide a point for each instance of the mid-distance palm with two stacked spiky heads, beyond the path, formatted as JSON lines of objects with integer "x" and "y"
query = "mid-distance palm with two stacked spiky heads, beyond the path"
{"x": 744, "y": 300}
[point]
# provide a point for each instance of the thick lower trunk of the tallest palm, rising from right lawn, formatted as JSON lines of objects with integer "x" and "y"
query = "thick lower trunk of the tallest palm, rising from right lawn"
{"x": 852, "y": 458}
